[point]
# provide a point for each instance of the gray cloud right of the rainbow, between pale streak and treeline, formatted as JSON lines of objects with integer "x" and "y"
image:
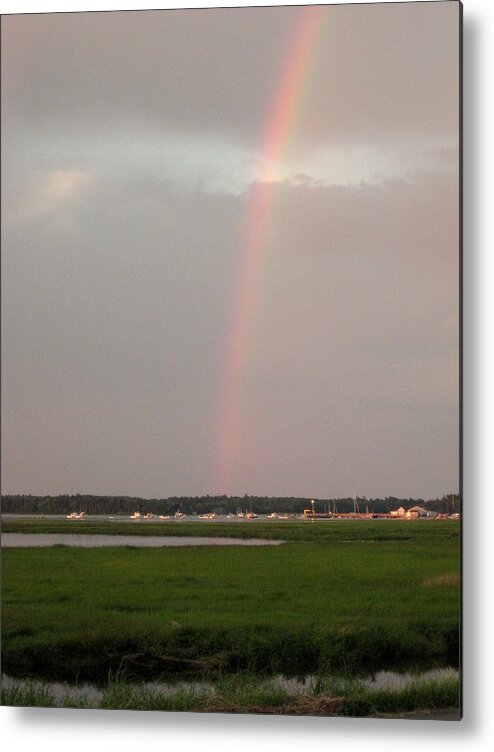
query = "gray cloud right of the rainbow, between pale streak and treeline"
{"x": 356, "y": 340}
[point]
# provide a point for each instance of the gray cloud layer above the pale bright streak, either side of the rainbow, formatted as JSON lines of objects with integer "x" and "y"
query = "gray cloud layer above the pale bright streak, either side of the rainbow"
{"x": 378, "y": 71}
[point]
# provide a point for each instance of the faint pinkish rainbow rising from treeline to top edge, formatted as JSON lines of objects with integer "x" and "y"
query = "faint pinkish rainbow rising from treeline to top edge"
{"x": 279, "y": 127}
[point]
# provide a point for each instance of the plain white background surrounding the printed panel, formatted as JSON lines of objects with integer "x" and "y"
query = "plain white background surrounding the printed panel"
{"x": 79, "y": 730}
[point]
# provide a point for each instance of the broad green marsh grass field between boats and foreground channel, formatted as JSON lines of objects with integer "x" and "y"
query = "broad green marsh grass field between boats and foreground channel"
{"x": 340, "y": 596}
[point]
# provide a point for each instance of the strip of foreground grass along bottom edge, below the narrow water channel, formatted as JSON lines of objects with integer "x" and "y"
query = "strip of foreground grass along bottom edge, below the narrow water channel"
{"x": 248, "y": 694}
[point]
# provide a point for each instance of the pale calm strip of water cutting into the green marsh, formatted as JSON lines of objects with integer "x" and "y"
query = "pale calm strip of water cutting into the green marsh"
{"x": 25, "y": 540}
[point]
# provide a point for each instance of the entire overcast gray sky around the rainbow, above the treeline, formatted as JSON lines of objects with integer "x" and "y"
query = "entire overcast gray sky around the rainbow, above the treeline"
{"x": 131, "y": 144}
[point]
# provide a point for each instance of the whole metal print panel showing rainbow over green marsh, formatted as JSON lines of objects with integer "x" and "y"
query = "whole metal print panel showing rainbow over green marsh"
{"x": 231, "y": 359}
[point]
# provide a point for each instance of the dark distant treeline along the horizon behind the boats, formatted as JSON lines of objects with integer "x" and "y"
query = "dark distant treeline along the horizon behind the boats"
{"x": 26, "y": 504}
